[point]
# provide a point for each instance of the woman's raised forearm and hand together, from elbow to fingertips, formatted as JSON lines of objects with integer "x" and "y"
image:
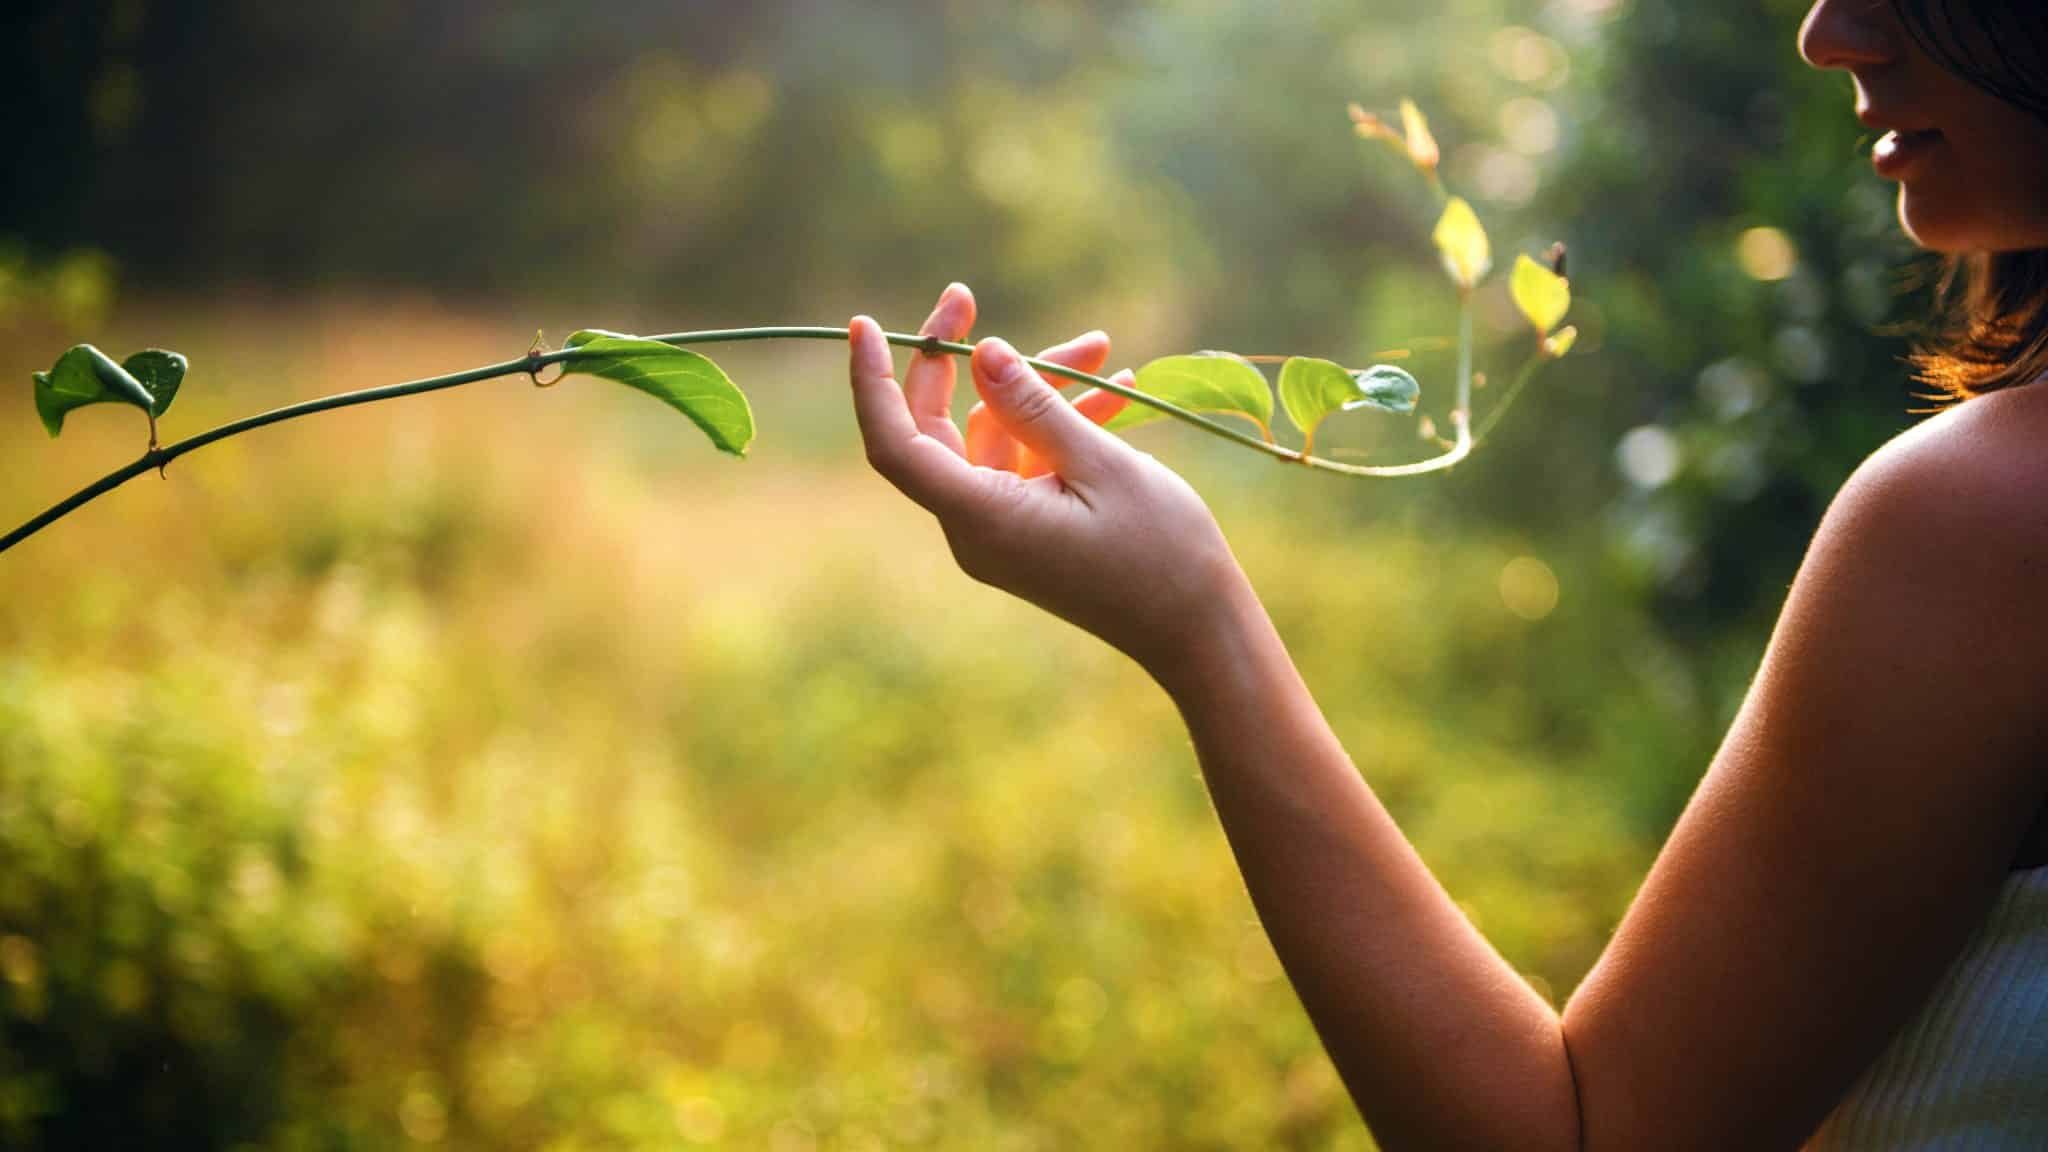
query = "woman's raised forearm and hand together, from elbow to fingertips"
{"x": 1439, "y": 1040}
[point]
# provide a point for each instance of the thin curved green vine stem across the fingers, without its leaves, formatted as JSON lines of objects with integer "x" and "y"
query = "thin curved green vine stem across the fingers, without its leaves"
{"x": 531, "y": 364}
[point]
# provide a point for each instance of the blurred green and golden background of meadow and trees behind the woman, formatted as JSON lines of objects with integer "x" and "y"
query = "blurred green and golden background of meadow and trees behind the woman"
{"x": 505, "y": 770}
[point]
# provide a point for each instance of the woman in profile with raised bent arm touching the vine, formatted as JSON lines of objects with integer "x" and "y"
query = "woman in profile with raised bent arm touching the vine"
{"x": 1846, "y": 940}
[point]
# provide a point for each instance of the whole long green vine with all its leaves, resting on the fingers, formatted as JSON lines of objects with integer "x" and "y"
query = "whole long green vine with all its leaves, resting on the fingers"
{"x": 1189, "y": 388}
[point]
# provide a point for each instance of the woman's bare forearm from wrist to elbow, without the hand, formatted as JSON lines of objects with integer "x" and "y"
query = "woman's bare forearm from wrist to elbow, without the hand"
{"x": 1439, "y": 1040}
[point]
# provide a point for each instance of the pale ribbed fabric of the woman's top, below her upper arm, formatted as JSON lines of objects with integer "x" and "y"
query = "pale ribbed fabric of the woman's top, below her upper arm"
{"x": 1971, "y": 1073}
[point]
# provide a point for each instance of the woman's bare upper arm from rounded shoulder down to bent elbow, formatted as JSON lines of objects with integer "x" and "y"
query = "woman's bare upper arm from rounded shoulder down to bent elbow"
{"x": 1854, "y": 825}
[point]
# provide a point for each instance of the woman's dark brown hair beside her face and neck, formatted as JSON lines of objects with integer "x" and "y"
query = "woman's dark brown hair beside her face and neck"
{"x": 1996, "y": 304}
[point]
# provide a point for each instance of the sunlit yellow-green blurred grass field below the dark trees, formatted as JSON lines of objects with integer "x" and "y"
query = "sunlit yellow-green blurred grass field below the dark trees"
{"x": 505, "y": 770}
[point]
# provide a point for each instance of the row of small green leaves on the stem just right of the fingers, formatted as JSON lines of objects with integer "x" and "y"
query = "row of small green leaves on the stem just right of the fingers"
{"x": 1310, "y": 390}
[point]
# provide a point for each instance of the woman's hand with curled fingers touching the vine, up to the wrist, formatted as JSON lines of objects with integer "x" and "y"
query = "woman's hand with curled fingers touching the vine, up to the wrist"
{"x": 1039, "y": 501}
